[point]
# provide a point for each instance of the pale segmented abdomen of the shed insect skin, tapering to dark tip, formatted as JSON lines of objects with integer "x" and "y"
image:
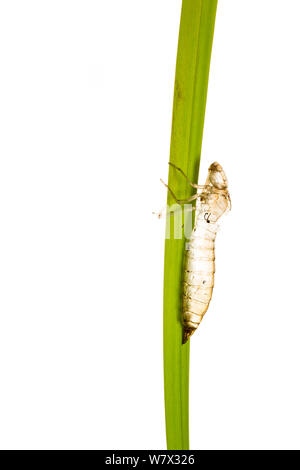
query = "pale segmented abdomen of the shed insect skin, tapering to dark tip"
{"x": 198, "y": 278}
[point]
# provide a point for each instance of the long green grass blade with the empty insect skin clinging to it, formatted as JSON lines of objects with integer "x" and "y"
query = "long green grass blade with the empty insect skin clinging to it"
{"x": 191, "y": 81}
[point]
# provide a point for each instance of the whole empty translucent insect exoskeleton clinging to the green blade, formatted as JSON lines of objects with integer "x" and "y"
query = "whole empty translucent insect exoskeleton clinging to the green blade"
{"x": 212, "y": 201}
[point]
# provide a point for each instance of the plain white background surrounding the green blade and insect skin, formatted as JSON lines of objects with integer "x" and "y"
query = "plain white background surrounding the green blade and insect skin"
{"x": 86, "y": 92}
